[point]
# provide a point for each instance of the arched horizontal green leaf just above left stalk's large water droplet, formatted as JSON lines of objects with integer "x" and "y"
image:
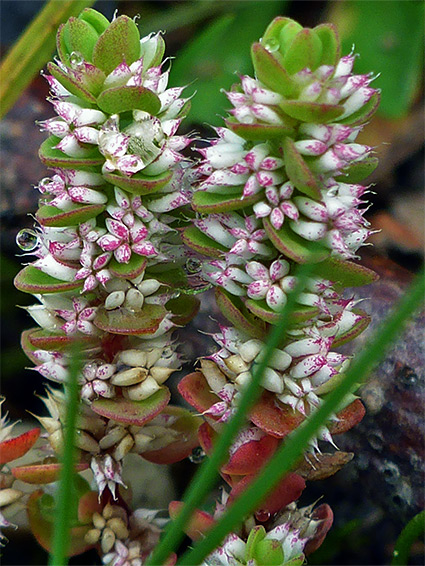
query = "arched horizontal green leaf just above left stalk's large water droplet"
{"x": 124, "y": 98}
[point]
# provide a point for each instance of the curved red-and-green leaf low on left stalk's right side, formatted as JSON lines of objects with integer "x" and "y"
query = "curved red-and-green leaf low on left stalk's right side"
{"x": 187, "y": 426}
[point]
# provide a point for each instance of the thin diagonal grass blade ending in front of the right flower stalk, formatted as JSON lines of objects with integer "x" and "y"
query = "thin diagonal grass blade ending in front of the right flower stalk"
{"x": 206, "y": 476}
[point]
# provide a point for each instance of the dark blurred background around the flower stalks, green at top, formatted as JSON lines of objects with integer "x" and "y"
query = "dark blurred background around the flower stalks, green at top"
{"x": 209, "y": 42}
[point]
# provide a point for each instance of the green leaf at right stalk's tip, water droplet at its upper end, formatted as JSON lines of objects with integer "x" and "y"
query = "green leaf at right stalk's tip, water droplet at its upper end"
{"x": 271, "y": 72}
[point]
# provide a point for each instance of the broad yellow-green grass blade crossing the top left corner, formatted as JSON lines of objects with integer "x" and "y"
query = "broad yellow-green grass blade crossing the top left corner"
{"x": 34, "y": 49}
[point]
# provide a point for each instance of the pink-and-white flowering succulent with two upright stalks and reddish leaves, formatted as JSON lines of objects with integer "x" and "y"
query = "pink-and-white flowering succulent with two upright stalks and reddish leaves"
{"x": 111, "y": 275}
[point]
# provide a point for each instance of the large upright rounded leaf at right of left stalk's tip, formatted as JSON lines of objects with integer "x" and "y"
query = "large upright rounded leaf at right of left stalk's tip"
{"x": 119, "y": 42}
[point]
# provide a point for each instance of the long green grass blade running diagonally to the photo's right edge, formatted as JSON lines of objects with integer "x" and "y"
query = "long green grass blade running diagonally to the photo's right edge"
{"x": 297, "y": 442}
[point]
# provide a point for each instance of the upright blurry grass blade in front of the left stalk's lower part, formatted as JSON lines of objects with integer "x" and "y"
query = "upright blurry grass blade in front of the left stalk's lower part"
{"x": 65, "y": 502}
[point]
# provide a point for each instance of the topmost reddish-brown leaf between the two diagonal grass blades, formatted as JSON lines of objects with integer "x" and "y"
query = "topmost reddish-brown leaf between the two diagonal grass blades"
{"x": 274, "y": 418}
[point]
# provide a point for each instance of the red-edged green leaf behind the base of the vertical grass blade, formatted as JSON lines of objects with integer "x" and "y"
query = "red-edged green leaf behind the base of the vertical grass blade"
{"x": 43, "y": 529}
